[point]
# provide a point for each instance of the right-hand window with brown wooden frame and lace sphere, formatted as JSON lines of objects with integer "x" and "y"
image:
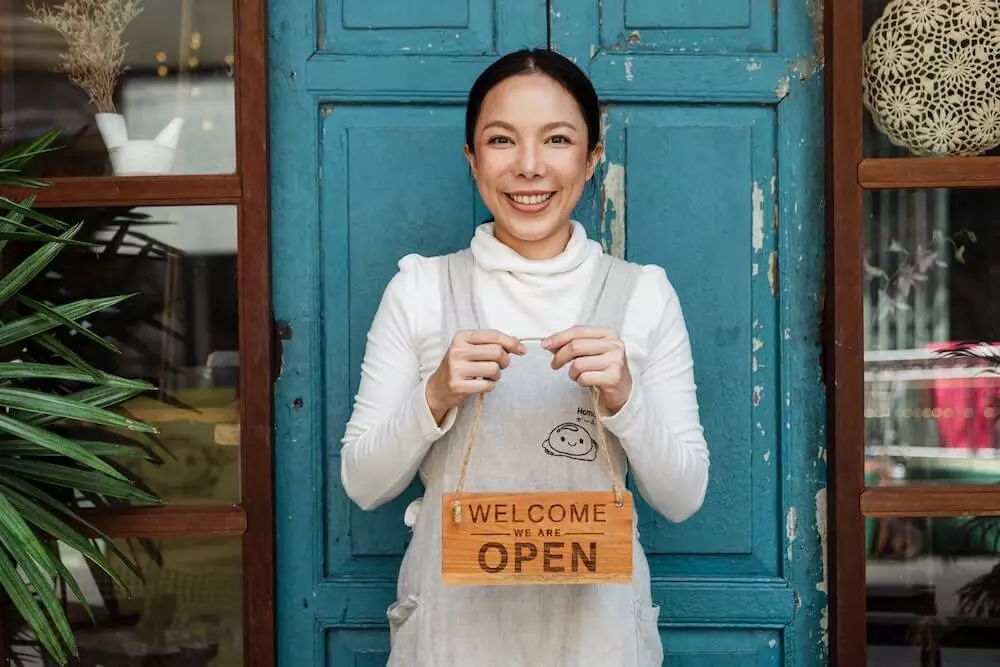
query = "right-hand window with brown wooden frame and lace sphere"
{"x": 913, "y": 329}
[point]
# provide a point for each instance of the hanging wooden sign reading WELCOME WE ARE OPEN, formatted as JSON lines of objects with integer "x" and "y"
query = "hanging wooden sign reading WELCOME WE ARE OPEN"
{"x": 536, "y": 538}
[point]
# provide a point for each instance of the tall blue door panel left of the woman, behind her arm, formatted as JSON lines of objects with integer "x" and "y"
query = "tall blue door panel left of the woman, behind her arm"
{"x": 387, "y": 189}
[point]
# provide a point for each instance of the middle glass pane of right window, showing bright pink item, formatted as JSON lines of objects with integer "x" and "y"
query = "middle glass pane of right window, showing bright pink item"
{"x": 931, "y": 277}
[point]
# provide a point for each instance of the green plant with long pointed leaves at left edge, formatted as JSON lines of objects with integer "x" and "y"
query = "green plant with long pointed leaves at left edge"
{"x": 55, "y": 421}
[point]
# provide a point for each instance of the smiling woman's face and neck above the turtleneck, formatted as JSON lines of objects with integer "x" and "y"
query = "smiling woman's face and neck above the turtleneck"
{"x": 531, "y": 162}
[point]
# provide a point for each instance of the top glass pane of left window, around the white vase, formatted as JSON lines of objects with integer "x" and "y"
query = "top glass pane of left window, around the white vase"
{"x": 178, "y": 64}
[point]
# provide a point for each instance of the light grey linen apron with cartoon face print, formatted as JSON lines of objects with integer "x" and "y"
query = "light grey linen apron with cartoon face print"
{"x": 537, "y": 432}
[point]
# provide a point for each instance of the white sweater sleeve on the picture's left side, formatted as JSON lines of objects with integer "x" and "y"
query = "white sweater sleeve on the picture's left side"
{"x": 391, "y": 427}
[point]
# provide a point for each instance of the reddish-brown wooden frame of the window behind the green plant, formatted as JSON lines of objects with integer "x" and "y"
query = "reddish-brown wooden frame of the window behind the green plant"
{"x": 247, "y": 190}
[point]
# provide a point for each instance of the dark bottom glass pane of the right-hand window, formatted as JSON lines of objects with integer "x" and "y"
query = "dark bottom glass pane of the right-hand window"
{"x": 933, "y": 592}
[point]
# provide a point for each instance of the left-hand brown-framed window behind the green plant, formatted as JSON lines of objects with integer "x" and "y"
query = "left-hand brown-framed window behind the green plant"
{"x": 179, "y": 214}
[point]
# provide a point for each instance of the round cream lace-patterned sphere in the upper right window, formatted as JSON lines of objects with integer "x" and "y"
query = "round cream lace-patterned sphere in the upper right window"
{"x": 932, "y": 75}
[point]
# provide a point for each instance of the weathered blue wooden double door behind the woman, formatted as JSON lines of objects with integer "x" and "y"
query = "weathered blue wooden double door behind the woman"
{"x": 714, "y": 170}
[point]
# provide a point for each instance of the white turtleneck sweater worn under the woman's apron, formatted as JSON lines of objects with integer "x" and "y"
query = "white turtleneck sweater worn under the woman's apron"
{"x": 392, "y": 429}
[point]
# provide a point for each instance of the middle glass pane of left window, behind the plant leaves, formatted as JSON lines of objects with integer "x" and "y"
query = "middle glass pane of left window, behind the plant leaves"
{"x": 179, "y": 331}
